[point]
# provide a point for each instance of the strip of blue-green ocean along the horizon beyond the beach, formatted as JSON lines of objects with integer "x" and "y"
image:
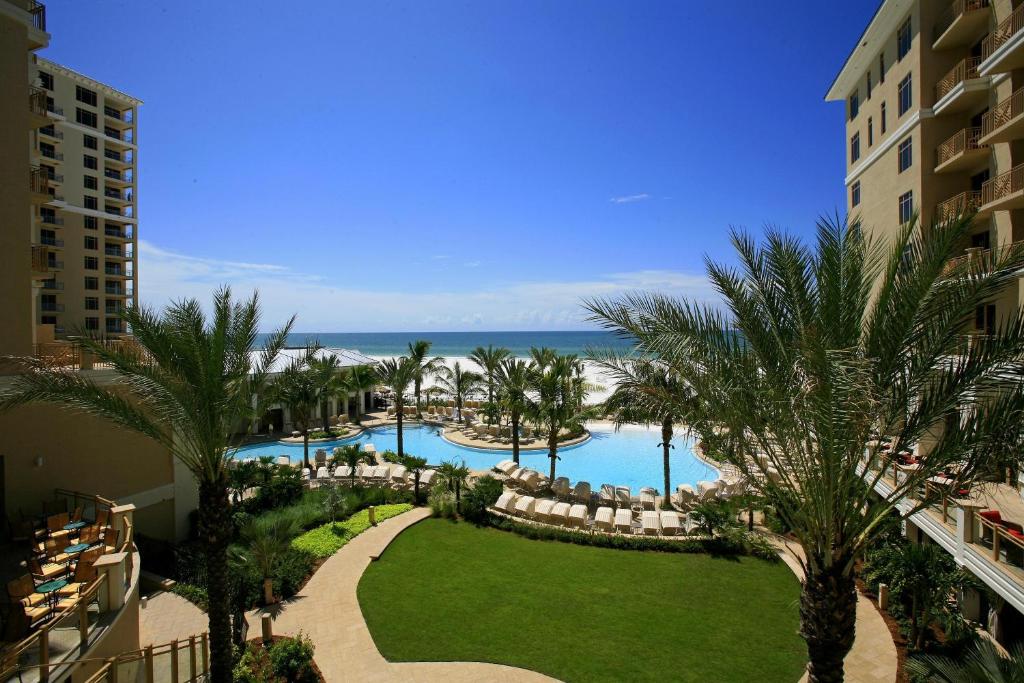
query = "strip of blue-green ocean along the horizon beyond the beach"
{"x": 458, "y": 345}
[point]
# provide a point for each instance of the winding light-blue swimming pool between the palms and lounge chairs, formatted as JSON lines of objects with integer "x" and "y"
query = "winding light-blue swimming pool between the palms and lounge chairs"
{"x": 629, "y": 457}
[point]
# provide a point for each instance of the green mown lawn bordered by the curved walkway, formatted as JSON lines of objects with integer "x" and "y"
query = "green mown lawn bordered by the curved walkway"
{"x": 450, "y": 592}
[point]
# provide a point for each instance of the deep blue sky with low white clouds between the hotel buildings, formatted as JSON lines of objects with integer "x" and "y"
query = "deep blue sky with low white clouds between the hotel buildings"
{"x": 391, "y": 166}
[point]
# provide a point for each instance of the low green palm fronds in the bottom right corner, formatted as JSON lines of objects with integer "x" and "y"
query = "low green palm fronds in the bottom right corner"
{"x": 983, "y": 664}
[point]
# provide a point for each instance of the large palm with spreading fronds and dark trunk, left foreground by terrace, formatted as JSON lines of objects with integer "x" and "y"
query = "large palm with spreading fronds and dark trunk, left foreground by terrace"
{"x": 188, "y": 383}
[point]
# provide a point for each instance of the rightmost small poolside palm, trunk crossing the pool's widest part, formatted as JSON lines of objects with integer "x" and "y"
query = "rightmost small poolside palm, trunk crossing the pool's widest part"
{"x": 645, "y": 393}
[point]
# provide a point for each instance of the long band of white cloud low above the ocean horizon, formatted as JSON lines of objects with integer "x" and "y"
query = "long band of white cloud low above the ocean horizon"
{"x": 333, "y": 306}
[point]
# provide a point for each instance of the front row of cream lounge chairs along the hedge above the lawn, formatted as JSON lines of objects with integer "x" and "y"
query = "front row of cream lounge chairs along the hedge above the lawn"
{"x": 561, "y": 514}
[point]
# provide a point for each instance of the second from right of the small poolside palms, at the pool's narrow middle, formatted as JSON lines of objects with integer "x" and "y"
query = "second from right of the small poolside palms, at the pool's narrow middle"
{"x": 560, "y": 394}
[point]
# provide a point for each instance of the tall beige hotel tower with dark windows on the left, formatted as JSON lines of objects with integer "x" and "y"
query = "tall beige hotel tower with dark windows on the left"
{"x": 69, "y": 196}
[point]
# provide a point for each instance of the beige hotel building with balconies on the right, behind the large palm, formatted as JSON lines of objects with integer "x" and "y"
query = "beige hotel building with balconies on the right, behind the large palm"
{"x": 934, "y": 98}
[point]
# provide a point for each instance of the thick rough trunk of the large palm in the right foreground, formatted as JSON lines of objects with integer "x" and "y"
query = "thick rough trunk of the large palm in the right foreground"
{"x": 828, "y": 617}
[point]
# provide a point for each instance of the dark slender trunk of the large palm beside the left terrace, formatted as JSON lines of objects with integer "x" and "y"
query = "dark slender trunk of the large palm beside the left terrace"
{"x": 215, "y": 530}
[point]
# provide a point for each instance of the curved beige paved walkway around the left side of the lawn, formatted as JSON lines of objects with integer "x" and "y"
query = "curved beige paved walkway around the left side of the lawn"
{"x": 327, "y": 610}
